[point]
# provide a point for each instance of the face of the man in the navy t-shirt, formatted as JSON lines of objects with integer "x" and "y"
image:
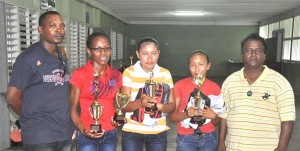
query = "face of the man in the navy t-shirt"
{"x": 53, "y": 29}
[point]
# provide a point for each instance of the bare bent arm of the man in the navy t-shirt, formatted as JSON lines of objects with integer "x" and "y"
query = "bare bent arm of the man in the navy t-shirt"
{"x": 14, "y": 99}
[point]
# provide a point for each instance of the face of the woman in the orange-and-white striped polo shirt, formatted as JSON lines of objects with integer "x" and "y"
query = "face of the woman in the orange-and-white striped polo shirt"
{"x": 148, "y": 55}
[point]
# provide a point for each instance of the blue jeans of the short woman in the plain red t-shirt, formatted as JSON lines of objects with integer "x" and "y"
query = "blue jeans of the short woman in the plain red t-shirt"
{"x": 192, "y": 142}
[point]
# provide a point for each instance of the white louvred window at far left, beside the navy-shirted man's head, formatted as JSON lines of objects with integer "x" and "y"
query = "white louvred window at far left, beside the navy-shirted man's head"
{"x": 21, "y": 31}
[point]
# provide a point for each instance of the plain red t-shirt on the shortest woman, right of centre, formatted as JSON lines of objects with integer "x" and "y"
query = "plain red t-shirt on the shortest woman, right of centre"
{"x": 182, "y": 89}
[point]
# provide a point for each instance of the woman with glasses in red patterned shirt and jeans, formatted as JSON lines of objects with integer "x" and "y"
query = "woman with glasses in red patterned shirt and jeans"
{"x": 96, "y": 81}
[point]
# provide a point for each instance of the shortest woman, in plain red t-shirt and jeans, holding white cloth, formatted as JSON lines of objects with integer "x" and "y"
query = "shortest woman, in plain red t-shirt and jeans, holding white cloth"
{"x": 201, "y": 136}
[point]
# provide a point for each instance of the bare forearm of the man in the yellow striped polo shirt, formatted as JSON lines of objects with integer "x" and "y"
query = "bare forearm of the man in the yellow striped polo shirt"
{"x": 285, "y": 135}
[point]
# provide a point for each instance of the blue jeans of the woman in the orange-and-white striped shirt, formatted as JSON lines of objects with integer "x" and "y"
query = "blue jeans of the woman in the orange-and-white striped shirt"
{"x": 135, "y": 141}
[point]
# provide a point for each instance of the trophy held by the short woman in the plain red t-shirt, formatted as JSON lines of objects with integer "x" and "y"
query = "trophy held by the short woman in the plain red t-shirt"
{"x": 199, "y": 102}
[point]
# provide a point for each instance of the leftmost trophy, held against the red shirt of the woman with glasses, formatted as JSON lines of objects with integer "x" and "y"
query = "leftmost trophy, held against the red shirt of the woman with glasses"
{"x": 96, "y": 108}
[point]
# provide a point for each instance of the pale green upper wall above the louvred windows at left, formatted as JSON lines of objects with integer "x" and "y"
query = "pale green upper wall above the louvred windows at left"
{"x": 74, "y": 10}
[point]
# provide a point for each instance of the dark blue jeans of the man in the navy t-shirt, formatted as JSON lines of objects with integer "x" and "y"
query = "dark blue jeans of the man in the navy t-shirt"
{"x": 63, "y": 145}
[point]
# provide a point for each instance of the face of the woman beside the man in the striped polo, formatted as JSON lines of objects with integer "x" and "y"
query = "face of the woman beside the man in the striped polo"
{"x": 198, "y": 64}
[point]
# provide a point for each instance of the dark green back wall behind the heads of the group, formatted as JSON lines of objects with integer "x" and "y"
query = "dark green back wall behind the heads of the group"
{"x": 178, "y": 41}
